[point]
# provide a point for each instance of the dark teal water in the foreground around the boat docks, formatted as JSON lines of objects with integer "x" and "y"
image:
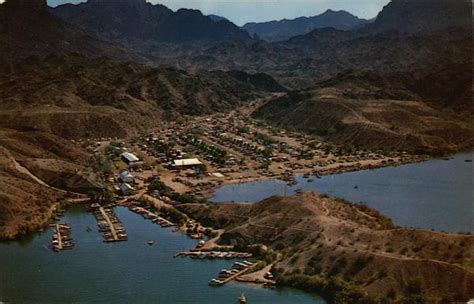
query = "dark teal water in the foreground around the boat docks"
{"x": 126, "y": 272}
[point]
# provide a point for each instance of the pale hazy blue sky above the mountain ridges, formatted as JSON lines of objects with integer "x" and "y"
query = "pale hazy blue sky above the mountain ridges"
{"x": 242, "y": 11}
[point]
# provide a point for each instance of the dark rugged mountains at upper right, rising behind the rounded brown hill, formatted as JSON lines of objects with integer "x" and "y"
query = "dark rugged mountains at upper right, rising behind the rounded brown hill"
{"x": 434, "y": 63}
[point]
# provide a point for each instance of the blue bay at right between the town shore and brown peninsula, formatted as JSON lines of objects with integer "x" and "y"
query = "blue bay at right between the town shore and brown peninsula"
{"x": 436, "y": 194}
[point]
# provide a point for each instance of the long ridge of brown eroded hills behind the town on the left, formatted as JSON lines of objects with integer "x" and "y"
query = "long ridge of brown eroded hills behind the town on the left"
{"x": 73, "y": 96}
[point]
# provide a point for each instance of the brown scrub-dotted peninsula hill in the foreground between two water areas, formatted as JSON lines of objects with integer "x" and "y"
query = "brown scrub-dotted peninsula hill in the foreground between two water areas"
{"x": 322, "y": 240}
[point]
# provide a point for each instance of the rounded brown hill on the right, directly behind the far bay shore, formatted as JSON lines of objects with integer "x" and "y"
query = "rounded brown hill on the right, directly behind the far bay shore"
{"x": 369, "y": 112}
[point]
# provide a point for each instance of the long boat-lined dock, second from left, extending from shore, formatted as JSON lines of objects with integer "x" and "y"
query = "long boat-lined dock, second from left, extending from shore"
{"x": 109, "y": 224}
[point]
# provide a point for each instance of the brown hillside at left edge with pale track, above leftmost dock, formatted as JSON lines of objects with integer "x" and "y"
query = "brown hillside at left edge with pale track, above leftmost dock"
{"x": 36, "y": 171}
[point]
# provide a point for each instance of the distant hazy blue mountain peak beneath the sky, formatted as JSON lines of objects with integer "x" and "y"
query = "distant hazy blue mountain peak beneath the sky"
{"x": 285, "y": 29}
